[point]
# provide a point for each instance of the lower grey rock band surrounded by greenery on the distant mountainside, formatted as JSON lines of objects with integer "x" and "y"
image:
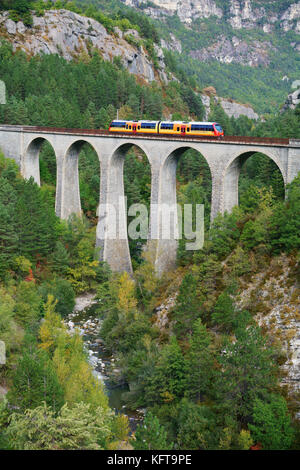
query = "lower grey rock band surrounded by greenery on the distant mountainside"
{"x": 235, "y": 50}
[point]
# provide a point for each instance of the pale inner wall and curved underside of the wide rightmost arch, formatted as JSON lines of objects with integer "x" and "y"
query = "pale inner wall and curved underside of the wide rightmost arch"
{"x": 231, "y": 174}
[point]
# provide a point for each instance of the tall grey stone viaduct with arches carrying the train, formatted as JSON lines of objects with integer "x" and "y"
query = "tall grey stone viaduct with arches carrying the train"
{"x": 224, "y": 157}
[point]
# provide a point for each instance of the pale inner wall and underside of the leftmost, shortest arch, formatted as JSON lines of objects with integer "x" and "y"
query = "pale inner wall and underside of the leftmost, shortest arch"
{"x": 31, "y": 164}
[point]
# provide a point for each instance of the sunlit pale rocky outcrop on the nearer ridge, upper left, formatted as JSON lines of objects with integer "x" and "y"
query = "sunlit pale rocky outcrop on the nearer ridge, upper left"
{"x": 69, "y": 34}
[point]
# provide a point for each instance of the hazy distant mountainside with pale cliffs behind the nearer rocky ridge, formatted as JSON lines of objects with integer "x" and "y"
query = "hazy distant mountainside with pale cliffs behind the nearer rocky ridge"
{"x": 248, "y": 51}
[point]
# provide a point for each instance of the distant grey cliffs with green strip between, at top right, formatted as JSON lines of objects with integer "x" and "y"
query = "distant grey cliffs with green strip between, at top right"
{"x": 240, "y": 27}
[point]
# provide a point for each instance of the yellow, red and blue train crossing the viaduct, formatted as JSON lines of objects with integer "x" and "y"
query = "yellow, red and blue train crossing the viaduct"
{"x": 168, "y": 127}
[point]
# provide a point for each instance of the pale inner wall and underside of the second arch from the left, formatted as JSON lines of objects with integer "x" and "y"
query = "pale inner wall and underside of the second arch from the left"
{"x": 71, "y": 202}
